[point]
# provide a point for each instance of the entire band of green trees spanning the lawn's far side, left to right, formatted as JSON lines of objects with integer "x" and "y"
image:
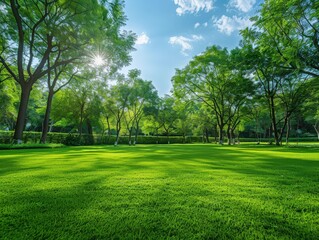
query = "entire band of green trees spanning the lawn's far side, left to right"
{"x": 268, "y": 84}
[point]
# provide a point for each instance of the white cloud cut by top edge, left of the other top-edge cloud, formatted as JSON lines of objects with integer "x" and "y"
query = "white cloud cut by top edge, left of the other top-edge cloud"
{"x": 193, "y": 6}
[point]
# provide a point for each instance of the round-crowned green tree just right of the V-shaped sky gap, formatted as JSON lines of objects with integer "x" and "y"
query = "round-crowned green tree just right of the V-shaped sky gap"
{"x": 213, "y": 79}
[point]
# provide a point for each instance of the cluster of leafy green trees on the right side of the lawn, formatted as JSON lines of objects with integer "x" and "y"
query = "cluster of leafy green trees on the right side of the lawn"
{"x": 272, "y": 75}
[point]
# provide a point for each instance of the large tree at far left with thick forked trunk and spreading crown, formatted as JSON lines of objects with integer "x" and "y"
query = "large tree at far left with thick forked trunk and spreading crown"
{"x": 56, "y": 30}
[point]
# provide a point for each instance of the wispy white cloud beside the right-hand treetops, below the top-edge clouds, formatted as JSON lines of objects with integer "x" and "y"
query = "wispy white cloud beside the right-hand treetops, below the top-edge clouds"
{"x": 228, "y": 25}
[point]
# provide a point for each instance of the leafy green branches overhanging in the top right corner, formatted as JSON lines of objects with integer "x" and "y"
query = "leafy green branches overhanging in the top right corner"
{"x": 290, "y": 29}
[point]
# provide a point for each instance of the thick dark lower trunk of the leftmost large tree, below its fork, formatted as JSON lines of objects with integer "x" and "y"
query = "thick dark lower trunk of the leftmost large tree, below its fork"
{"x": 22, "y": 114}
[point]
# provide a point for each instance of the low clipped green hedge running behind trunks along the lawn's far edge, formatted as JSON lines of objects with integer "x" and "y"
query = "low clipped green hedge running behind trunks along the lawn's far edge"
{"x": 74, "y": 139}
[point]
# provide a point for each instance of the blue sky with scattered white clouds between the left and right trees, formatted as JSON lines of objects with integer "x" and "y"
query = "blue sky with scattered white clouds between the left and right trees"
{"x": 171, "y": 32}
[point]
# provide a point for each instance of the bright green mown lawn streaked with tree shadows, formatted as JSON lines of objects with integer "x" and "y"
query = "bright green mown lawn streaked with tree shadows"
{"x": 160, "y": 192}
